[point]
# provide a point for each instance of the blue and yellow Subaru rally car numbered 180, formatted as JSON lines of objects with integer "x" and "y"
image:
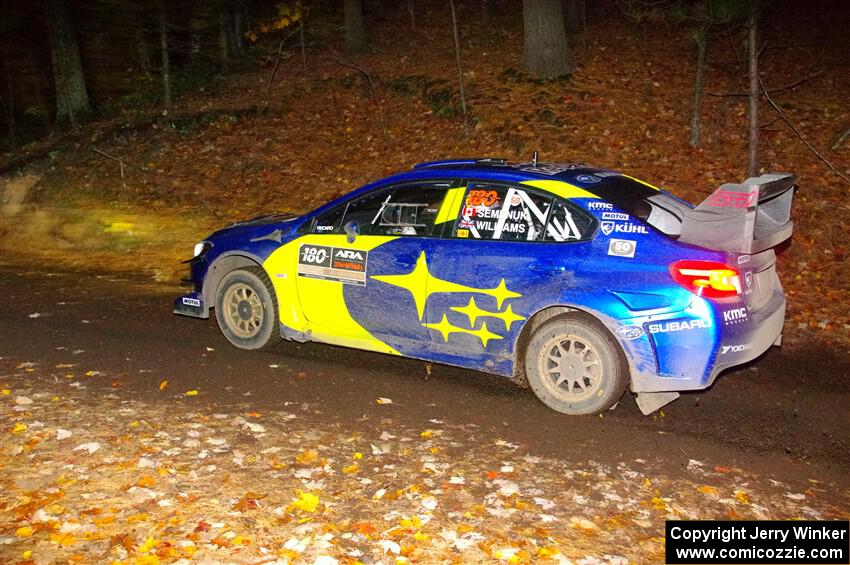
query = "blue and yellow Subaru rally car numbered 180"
{"x": 578, "y": 281}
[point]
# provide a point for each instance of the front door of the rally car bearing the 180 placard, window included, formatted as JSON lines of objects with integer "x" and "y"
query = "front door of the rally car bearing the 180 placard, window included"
{"x": 362, "y": 289}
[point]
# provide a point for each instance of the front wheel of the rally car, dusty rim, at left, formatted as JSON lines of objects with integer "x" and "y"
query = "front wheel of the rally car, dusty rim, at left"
{"x": 246, "y": 309}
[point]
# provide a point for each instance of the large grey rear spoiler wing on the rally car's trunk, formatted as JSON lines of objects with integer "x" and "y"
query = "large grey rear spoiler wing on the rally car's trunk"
{"x": 743, "y": 218}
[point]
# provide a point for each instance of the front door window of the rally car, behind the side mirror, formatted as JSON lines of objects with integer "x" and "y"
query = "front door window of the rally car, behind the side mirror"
{"x": 406, "y": 210}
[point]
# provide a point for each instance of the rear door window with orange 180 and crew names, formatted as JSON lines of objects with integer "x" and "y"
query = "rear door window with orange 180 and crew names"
{"x": 505, "y": 213}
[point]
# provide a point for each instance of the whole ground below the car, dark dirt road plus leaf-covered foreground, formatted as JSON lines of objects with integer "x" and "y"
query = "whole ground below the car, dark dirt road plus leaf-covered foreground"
{"x": 471, "y": 467}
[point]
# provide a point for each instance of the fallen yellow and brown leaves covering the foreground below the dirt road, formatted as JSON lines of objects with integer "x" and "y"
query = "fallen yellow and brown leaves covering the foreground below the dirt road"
{"x": 151, "y": 482}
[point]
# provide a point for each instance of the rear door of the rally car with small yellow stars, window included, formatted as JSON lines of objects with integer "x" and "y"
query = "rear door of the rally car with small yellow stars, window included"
{"x": 510, "y": 252}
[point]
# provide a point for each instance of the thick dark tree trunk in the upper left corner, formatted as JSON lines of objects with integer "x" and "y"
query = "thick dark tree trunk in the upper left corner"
{"x": 72, "y": 99}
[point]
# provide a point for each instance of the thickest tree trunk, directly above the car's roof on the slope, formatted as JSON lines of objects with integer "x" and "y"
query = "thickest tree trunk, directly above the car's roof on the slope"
{"x": 545, "y": 51}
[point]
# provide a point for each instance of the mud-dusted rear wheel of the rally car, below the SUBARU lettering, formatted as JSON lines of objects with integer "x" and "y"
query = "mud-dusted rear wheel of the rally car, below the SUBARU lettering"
{"x": 574, "y": 365}
